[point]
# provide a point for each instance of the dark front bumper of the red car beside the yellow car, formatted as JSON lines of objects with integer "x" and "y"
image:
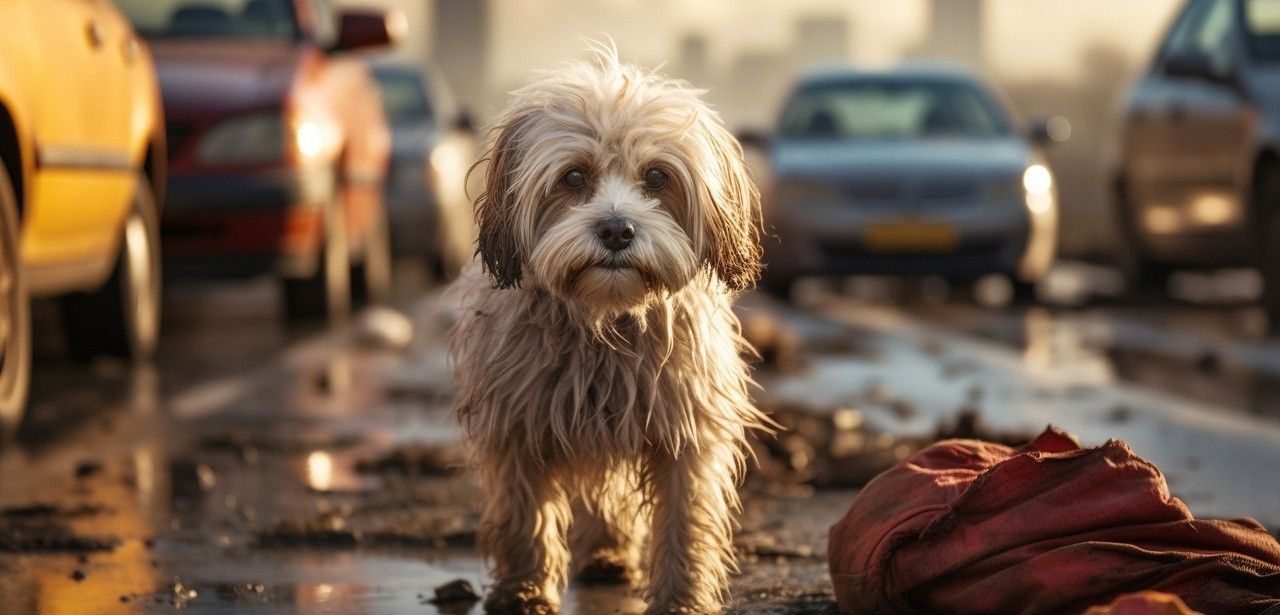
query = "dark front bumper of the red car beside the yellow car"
{"x": 236, "y": 225}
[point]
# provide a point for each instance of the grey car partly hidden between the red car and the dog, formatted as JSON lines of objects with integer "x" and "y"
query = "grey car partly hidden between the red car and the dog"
{"x": 433, "y": 147}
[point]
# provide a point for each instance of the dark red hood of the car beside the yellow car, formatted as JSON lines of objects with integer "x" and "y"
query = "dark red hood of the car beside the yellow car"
{"x": 213, "y": 78}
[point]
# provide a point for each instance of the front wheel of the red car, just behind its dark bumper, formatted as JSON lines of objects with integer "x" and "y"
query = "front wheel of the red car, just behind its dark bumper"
{"x": 327, "y": 293}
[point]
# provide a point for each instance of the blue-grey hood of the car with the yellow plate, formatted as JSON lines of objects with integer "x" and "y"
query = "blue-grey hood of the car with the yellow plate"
{"x": 903, "y": 161}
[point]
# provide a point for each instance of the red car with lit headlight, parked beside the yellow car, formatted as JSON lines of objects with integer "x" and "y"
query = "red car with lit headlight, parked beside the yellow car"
{"x": 278, "y": 145}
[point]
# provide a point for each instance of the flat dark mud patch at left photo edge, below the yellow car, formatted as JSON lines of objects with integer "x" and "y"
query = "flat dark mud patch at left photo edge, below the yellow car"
{"x": 44, "y": 529}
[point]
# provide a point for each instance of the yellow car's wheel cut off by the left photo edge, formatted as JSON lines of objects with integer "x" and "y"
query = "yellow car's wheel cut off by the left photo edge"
{"x": 15, "y": 317}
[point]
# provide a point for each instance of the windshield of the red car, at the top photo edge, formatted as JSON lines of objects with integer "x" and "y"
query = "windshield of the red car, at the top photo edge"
{"x": 213, "y": 19}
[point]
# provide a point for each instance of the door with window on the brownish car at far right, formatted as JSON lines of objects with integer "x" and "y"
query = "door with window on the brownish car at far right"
{"x": 1200, "y": 124}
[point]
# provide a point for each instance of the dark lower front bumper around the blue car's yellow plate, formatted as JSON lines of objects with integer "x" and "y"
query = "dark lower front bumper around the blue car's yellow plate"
{"x": 836, "y": 242}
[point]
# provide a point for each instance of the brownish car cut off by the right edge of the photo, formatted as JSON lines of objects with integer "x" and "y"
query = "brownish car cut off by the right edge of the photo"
{"x": 1199, "y": 176}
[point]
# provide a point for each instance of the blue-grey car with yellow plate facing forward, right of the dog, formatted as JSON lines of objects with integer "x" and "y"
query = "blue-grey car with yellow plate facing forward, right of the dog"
{"x": 908, "y": 172}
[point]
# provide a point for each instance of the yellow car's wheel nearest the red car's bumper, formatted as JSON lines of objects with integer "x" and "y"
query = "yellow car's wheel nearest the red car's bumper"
{"x": 124, "y": 317}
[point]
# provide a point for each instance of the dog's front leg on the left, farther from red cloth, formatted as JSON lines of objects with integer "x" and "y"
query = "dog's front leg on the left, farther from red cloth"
{"x": 524, "y": 530}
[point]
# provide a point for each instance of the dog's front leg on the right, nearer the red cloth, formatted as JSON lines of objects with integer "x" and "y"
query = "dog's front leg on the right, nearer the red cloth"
{"x": 693, "y": 530}
